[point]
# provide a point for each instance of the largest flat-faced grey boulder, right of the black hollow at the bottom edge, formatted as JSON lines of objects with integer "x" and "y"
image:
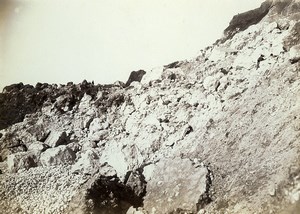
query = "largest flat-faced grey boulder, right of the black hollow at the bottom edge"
{"x": 175, "y": 184}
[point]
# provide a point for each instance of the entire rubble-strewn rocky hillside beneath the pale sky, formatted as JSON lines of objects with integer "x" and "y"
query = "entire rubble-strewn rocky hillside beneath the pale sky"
{"x": 215, "y": 134}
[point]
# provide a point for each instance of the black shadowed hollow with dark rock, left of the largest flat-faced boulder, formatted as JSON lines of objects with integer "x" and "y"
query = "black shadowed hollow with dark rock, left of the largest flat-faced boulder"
{"x": 108, "y": 195}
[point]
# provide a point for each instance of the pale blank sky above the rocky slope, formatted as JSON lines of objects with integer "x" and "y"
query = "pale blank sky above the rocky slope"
{"x": 58, "y": 41}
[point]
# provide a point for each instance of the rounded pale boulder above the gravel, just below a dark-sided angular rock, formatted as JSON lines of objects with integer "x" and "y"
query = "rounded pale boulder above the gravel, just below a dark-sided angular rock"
{"x": 58, "y": 155}
